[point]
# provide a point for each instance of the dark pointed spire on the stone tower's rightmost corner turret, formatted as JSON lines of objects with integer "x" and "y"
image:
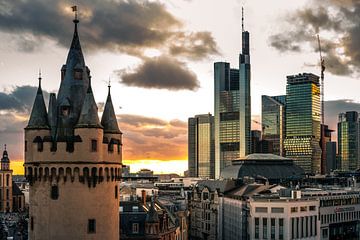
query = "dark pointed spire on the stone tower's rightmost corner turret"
{"x": 108, "y": 120}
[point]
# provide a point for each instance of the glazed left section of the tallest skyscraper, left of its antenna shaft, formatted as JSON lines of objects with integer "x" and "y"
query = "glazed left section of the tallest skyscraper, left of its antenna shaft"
{"x": 226, "y": 117}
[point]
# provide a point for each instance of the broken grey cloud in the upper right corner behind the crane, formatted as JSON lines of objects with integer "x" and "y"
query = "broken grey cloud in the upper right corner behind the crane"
{"x": 337, "y": 22}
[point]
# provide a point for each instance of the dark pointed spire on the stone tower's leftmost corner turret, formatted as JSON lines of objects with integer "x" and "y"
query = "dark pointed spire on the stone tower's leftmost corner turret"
{"x": 38, "y": 117}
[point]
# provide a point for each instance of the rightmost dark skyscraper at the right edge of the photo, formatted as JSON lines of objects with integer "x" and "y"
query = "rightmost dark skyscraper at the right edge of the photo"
{"x": 348, "y": 141}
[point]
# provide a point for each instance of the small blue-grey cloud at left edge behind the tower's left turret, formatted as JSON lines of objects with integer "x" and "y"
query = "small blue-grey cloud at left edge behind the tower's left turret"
{"x": 20, "y": 99}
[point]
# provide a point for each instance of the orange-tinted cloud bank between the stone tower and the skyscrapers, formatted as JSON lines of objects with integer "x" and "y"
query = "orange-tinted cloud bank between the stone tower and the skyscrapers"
{"x": 153, "y": 138}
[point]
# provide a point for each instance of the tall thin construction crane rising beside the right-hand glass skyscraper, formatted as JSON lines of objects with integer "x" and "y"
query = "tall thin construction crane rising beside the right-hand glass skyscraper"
{"x": 322, "y": 125}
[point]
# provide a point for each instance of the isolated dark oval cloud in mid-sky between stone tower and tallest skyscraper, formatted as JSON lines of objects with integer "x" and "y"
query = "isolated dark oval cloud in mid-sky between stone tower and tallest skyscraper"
{"x": 161, "y": 73}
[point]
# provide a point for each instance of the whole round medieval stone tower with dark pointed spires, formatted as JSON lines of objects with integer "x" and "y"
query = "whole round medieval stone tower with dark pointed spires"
{"x": 72, "y": 160}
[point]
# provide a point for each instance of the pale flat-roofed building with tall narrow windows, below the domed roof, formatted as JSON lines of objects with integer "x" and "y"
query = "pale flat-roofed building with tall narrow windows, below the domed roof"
{"x": 280, "y": 219}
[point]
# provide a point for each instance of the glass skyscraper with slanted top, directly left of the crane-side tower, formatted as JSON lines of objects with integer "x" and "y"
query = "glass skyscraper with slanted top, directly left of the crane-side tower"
{"x": 273, "y": 122}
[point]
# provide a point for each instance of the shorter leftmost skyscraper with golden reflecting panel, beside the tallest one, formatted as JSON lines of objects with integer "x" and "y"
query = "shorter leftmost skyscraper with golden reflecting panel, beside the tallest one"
{"x": 201, "y": 146}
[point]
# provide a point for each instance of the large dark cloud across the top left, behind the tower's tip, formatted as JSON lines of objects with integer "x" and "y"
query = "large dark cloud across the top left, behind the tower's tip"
{"x": 124, "y": 26}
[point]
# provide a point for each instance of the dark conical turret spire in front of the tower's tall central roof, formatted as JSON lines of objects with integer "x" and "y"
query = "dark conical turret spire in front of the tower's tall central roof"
{"x": 89, "y": 113}
